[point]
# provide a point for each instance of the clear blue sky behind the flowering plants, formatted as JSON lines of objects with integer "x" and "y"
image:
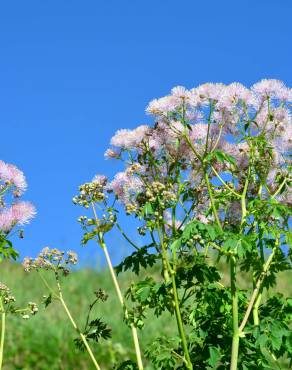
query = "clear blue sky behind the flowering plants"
{"x": 73, "y": 72}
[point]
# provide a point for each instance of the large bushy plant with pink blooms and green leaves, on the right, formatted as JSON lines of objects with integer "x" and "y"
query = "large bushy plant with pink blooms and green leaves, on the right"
{"x": 210, "y": 181}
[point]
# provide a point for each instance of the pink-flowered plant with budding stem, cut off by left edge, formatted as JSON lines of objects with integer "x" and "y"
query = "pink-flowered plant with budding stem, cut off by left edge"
{"x": 13, "y": 215}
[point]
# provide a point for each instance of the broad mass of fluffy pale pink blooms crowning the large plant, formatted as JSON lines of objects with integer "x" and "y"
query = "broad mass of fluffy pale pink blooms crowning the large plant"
{"x": 189, "y": 124}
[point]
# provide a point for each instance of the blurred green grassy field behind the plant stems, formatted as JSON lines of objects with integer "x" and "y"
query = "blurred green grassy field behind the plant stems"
{"x": 45, "y": 342}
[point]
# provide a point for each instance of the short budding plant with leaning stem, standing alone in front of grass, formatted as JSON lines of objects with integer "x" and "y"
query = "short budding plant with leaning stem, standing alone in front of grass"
{"x": 59, "y": 264}
